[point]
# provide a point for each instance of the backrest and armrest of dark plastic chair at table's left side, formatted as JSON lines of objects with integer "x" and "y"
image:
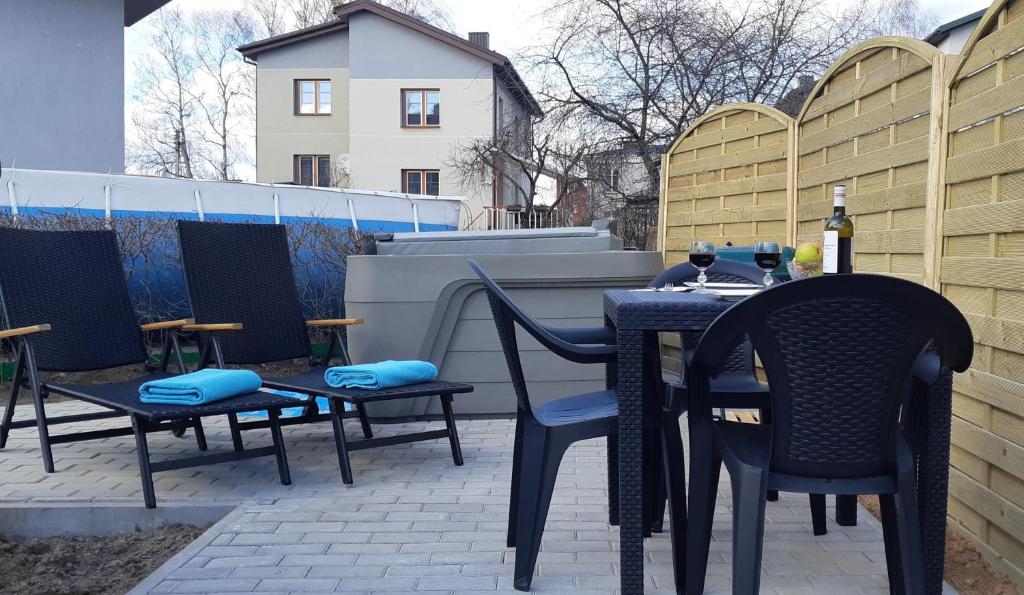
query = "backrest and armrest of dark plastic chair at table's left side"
{"x": 507, "y": 315}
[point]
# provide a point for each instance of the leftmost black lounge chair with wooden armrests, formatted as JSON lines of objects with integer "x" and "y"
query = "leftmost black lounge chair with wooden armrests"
{"x": 67, "y": 309}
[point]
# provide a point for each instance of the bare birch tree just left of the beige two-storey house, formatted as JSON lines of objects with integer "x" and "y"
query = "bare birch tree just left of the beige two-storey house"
{"x": 218, "y": 34}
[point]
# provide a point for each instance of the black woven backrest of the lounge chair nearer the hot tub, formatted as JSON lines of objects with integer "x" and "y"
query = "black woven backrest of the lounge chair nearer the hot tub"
{"x": 242, "y": 273}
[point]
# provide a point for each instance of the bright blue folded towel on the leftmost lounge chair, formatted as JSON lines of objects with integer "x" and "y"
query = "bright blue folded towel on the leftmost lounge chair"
{"x": 200, "y": 388}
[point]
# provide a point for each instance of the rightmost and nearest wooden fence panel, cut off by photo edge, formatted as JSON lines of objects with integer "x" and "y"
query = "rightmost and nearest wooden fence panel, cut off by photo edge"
{"x": 983, "y": 272}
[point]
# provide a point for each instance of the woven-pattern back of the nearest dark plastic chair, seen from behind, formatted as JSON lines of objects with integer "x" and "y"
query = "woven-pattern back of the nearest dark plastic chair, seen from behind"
{"x": 839, "y": 352}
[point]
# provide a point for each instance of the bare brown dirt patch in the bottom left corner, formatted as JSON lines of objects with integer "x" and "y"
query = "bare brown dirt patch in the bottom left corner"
{"x": 90, "y": 566}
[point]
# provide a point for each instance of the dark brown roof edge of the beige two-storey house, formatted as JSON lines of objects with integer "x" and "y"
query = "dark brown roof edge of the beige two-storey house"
{"x": 503, "y": 67}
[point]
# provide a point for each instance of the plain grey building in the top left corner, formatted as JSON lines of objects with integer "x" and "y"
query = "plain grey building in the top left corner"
{"x": 62, "y": 100}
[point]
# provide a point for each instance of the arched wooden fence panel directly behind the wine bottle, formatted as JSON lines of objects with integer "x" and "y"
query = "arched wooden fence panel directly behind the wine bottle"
{"x": 872, "y": 124}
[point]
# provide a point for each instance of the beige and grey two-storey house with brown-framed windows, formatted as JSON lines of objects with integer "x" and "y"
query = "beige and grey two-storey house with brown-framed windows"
{"x": 377, "y": 100}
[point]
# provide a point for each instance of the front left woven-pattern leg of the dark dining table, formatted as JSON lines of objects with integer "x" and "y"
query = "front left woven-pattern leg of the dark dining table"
{"x": 631, "y": 498}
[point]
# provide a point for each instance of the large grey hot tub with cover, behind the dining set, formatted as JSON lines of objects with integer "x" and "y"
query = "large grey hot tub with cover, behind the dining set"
{"x": 420, "y": 301}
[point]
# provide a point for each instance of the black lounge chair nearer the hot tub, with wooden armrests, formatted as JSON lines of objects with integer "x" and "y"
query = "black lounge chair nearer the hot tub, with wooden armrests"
{"x": 242, "y": 273}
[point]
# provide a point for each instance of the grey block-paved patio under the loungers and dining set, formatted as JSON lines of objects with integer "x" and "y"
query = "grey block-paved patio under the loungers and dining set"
{"x": 413, "y": 522}
